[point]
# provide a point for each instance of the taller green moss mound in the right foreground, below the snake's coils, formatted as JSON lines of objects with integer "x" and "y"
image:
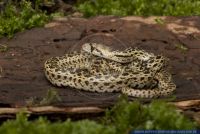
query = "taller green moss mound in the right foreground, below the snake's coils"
{"x": 158, "y": 115}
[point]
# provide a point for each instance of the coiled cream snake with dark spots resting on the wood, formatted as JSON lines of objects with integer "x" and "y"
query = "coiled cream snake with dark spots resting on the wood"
{"x": 99, "y": 69}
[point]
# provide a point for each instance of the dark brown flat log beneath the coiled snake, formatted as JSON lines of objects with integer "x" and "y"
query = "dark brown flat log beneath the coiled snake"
{"x": 21, "y": 64}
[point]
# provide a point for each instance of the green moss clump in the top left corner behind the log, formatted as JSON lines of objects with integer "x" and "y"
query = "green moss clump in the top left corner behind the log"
{"x": 15, "y": 19}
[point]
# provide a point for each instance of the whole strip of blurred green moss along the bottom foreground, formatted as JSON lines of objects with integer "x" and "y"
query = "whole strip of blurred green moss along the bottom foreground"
{"x": 121, "y": 119}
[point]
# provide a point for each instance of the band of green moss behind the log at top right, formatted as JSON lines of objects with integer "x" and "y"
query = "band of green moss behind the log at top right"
{"x": 139, "y": 7}
